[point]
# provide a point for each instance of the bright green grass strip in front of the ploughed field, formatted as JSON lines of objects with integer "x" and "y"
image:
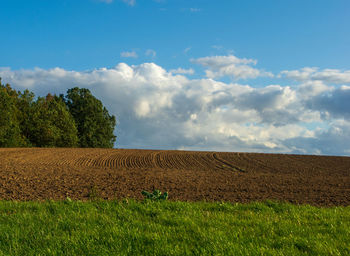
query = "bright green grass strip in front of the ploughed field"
{"x": 171, "y": 228}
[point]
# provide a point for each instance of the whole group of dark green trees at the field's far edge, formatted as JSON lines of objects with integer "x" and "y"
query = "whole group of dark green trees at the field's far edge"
{"x": 77, "y": 119}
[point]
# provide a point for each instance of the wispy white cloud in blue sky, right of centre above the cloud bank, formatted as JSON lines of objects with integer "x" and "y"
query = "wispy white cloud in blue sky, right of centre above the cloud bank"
{"x": 220, "y": 66}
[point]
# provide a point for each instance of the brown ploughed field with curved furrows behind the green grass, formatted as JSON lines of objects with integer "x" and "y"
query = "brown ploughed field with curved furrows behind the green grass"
{"x": 40, "y": 174}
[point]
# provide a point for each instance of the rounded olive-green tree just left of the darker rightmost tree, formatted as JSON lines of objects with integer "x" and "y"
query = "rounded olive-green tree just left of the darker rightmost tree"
{"x": 50, "y": 124}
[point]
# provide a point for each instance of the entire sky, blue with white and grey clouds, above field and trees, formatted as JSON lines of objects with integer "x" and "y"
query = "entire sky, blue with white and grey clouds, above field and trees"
{"x": 219, "y": 75}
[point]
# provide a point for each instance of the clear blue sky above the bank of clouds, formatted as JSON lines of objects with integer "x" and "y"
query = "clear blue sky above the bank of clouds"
{"x": 85, "y": 34}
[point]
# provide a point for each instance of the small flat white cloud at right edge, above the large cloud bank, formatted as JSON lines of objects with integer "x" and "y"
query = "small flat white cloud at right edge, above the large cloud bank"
{"x": 330, "y": 76}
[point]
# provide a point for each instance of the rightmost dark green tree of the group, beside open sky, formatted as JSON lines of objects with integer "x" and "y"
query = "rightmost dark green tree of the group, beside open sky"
{"x": 95, "y": 125}
